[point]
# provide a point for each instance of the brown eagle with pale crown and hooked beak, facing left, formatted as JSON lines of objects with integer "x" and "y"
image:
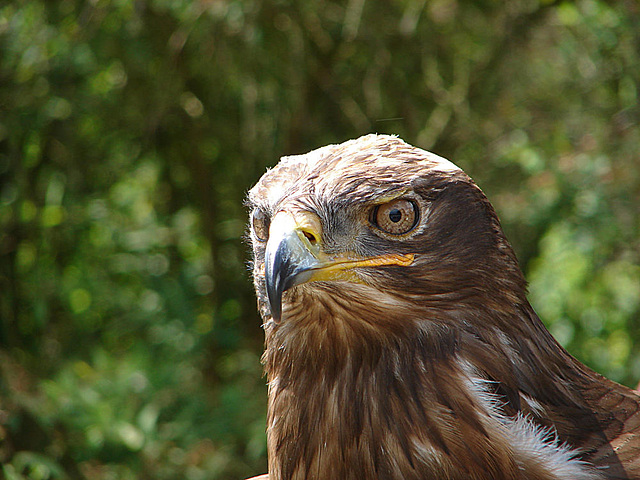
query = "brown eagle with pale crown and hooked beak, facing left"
{"x": 399, "y": 342}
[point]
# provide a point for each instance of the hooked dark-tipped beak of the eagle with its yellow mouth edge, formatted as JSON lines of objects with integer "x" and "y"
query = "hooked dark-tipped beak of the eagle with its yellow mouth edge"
{"x": 294, "y": 256}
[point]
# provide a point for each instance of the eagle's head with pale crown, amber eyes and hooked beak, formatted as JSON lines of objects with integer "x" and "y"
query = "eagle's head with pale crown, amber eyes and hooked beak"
{"x": 375, "y": 218}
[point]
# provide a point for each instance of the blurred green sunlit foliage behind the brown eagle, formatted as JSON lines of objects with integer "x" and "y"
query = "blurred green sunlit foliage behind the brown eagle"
{"x": 130, "y": 131}
